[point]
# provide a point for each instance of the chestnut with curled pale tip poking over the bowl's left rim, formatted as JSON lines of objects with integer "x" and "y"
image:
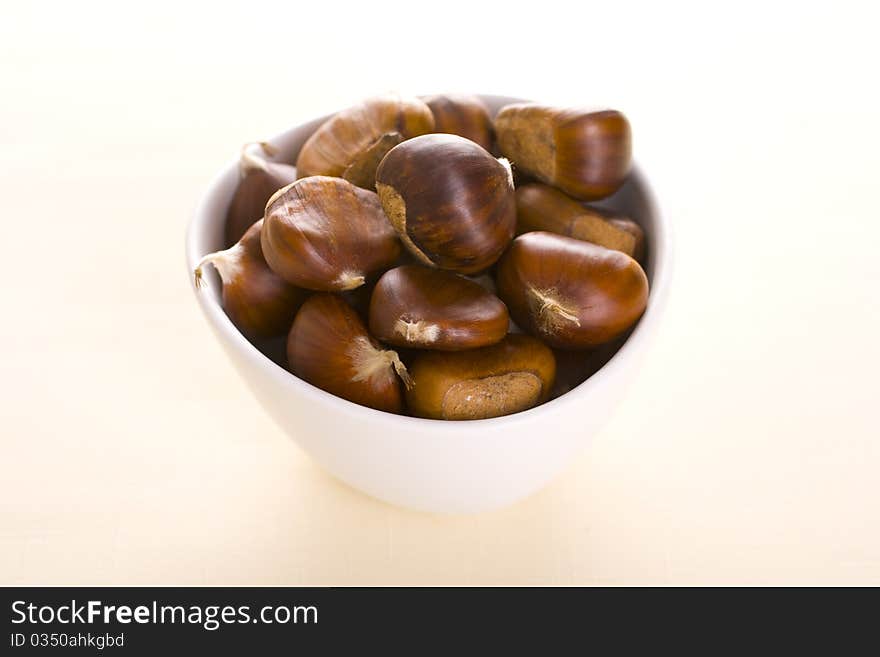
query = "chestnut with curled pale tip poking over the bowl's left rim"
{"x": 258, "y": 301}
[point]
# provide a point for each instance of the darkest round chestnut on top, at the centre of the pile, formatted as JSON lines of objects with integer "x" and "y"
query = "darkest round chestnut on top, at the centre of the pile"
{"x": 450, "y": 201}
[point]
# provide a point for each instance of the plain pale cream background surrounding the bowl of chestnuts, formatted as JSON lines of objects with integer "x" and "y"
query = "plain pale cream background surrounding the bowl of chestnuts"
{"x": 747, "y": 450}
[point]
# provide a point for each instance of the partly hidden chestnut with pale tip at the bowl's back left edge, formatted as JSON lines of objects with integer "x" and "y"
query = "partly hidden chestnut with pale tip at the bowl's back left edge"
{"x": 259, "y": 178}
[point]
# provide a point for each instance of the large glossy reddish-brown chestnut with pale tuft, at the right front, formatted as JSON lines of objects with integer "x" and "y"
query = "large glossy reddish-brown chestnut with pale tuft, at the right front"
{"x": 570, "y": 293}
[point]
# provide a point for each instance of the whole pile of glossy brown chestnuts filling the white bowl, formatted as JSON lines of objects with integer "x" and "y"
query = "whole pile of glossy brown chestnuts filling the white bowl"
{"x": 412, "y": 275}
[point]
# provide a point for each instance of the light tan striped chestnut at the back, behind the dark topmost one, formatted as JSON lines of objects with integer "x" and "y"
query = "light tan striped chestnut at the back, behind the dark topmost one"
{"x": 351, "y": 144}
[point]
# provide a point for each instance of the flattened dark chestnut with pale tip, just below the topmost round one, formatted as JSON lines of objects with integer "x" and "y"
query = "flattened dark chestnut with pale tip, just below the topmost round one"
{"x": 414, "y": 306}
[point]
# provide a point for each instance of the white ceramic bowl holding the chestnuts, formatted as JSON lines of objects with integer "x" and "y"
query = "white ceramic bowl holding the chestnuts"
{"x": 432, "y": 465}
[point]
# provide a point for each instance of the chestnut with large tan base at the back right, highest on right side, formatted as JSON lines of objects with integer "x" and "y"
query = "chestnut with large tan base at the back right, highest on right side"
{"x": 584, "y": 153}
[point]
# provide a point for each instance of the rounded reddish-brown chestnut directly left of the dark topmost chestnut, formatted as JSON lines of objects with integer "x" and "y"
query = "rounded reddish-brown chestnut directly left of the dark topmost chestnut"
{"x": 326, "y": 234}
